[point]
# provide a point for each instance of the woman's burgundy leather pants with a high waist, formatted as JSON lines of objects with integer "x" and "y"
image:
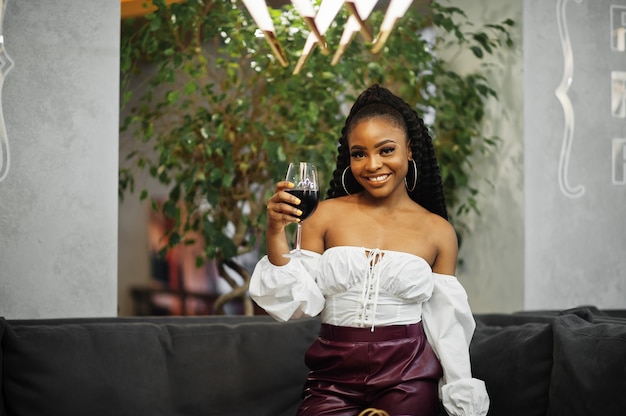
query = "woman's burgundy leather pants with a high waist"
{"x": 393, "y": 368}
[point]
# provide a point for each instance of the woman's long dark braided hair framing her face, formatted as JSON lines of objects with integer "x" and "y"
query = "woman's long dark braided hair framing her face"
{"x": 377, "y": 101}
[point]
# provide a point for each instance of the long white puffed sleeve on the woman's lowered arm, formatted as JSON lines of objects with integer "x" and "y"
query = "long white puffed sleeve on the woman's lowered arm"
{"x": 449, "y": 326}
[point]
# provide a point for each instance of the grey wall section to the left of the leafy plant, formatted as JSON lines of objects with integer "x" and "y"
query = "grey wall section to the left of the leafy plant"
{"x": 58, "y": 204}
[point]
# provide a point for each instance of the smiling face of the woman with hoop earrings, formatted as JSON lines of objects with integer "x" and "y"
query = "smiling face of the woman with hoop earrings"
{"x": 379, "y": 156}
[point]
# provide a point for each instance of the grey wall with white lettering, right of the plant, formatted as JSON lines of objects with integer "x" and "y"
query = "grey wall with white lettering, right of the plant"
{"x": 574, "y": 161}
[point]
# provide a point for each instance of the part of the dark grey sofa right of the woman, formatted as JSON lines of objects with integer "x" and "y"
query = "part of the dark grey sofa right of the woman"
{"x": 554, "y": 363}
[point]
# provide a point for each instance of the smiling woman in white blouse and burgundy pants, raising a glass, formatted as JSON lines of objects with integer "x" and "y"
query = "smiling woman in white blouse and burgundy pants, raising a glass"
{"x": 396, "y": 325}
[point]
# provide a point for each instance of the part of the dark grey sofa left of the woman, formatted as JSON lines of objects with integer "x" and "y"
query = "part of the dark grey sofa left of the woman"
{"x": 168, "y": 366}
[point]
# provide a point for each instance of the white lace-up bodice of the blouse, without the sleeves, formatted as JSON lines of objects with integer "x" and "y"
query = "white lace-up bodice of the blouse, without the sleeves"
{"x": 369, "y": 287}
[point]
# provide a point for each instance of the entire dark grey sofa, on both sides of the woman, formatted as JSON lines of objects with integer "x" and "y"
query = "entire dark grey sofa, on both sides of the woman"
{"x": 541, "y": 363}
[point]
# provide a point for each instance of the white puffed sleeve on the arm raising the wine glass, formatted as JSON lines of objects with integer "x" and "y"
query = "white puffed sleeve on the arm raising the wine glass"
{"x": 289, "y": 291}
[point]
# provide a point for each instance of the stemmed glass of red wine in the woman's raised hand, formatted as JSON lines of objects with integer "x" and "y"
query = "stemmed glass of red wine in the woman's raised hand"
{"x": 304, "y": 176}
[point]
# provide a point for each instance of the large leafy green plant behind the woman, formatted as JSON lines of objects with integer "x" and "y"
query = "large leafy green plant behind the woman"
{"x": 222, "y": 118}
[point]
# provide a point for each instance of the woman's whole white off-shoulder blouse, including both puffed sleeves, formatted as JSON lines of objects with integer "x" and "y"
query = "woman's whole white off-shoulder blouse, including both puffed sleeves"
{"x": 361, "y": 287}
